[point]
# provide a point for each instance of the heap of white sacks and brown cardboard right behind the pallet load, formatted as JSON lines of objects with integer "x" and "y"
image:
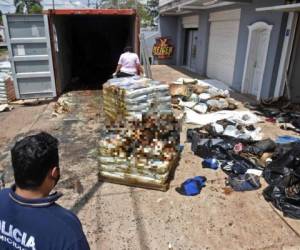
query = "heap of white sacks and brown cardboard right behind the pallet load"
{"x": 200, "y": 96}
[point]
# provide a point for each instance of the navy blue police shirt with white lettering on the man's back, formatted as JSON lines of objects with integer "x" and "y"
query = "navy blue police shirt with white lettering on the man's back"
{"x": 38, "y": 224}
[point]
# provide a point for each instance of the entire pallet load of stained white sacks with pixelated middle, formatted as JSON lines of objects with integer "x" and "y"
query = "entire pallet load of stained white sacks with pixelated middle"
{"x": 140, "y": 144}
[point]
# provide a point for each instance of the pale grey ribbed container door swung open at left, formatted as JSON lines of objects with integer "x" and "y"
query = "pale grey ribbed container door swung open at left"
{"x": 30, "y": 54}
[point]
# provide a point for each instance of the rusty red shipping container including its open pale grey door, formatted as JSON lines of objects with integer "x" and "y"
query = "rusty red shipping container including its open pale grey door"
{"x": 67, "y": 49}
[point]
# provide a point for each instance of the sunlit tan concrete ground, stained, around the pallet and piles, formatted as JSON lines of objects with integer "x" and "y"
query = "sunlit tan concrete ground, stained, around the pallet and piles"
{"x": 121, "y": 217}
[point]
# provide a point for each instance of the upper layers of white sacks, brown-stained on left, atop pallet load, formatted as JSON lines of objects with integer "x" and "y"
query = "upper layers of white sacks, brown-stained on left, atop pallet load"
{"x": 130, "y": 98}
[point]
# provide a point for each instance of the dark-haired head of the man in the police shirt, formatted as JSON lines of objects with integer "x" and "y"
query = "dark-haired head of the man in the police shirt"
{"x": 35, "y": 162}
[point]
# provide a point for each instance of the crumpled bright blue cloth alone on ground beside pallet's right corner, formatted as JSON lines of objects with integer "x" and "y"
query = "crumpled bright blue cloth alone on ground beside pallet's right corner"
{"x": 192, "y": 187}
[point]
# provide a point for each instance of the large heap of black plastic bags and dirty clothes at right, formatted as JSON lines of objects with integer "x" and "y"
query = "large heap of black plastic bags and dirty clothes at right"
{"x": 239, "y": 150}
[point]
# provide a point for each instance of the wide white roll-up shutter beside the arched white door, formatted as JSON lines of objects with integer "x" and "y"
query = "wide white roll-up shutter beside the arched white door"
{"x": 224, "y": 29}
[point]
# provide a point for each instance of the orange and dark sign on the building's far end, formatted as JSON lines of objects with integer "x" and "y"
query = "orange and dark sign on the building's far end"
{"x": 163, "y": 49}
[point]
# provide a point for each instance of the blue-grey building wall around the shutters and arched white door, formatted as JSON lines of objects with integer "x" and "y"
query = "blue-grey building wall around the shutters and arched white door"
{"x": 249, "y": 15}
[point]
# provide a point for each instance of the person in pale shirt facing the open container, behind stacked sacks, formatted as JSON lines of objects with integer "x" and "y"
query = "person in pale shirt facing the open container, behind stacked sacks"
{"x": 129, "y": 64}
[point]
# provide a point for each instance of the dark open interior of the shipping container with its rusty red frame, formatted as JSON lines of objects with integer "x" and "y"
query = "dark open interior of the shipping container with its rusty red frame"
{"x": 75, "y": 36}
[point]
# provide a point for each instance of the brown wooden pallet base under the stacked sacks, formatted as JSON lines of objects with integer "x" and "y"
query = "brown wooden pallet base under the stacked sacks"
{"x": 132, "y": 182}
